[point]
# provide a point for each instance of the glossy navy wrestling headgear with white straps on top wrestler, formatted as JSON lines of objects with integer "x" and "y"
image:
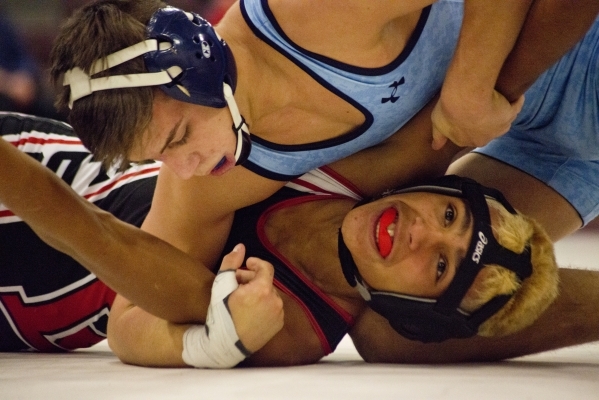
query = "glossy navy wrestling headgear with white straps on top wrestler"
{"x": 186, "y": 57}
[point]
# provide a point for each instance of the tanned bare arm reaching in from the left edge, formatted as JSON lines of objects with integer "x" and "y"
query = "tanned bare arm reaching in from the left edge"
{"x": 155, "y": 275}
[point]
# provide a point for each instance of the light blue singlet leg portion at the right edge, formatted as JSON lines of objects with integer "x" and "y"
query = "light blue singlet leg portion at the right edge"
{"x": 556, "y": 136}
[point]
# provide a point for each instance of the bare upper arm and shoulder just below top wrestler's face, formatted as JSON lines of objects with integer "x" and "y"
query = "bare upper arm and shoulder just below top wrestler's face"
{"x": 195, "y": 215}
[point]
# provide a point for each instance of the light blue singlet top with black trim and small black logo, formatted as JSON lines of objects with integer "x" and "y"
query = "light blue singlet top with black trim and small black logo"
{"x": 387, "y": 96}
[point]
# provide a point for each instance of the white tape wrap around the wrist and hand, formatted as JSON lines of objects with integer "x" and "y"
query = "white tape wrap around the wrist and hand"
{"x": 216, "y": 344}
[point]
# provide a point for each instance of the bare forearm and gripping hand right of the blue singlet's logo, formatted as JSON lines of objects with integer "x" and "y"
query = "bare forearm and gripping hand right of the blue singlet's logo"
{"x": 470, "y": 112}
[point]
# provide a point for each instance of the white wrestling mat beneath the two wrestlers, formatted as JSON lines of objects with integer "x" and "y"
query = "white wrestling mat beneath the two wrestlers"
{"x": 96, "y": 373}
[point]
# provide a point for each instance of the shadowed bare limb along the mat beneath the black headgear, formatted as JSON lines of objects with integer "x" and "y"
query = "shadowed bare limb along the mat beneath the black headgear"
{"x": 572, "y": 319}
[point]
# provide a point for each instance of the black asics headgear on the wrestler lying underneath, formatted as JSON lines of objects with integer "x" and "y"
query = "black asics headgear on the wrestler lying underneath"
{"x": 436, "y": 320}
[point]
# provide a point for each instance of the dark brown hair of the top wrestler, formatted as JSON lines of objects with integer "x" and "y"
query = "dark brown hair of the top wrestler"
{"x": 109, "y": 121}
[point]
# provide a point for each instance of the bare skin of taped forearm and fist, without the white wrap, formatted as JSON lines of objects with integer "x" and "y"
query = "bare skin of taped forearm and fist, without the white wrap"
{"x": 140, "y": 338}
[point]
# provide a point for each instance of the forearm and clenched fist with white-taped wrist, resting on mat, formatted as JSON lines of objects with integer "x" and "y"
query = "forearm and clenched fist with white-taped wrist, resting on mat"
{"x": 245, "y": 312}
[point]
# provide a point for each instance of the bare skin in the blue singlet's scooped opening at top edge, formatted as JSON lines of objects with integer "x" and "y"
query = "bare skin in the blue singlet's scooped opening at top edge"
{"x": 346, "y": 30}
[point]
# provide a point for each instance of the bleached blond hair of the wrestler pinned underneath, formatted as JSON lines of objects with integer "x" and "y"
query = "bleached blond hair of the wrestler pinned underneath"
{"x": 532, "y": 296}
